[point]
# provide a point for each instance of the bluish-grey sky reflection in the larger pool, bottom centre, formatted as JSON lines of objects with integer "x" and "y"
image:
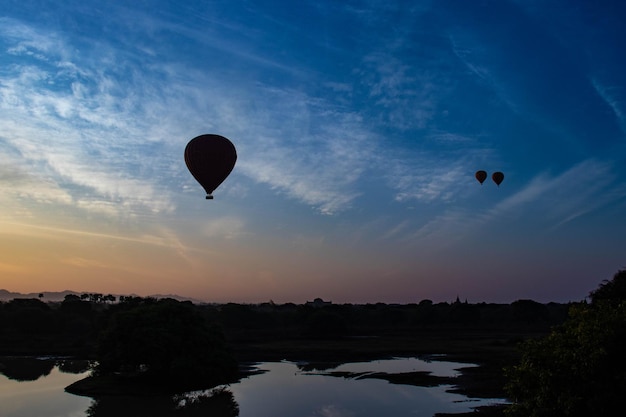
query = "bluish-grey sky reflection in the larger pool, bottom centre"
{"x": 285, "y": 391}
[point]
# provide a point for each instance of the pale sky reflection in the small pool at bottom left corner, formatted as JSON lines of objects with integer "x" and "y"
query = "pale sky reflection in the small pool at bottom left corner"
{"x": 43, "y": 397}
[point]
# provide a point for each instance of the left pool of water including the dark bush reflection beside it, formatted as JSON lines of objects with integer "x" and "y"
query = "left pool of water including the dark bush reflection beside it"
{"x": 36, "y": 387}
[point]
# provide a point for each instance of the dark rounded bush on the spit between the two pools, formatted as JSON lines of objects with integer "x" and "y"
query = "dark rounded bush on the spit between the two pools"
{"x": 165, "y": 342}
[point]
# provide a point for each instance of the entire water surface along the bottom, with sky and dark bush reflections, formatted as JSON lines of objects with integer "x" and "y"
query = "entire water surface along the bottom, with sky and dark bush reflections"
{"x": 283, "y": 389}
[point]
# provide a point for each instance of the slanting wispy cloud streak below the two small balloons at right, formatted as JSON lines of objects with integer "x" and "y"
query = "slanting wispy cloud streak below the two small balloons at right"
{"x": 546, "y": 201}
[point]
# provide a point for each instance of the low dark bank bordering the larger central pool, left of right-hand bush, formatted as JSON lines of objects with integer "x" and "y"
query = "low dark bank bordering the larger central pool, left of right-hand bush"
{"x": 491, "y": 350}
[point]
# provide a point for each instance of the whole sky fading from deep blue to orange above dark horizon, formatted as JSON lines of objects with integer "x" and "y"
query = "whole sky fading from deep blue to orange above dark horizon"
{"x": 358, "y": 126}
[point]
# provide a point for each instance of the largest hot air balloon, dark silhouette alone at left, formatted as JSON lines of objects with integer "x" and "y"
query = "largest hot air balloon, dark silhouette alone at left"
{"x": 210, "y": 159}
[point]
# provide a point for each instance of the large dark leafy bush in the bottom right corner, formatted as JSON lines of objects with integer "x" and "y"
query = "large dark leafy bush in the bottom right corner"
{"x": 578, "y": 369}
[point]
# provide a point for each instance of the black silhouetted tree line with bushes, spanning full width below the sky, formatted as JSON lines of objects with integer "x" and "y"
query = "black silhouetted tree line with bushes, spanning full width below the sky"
{"x": 575, "y": 367}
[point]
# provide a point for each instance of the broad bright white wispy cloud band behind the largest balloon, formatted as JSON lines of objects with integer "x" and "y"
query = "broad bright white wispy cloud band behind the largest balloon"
{"x": 118, "y": 108}
